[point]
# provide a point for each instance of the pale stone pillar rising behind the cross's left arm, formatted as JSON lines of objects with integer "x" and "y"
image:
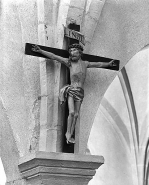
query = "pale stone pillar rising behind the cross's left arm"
{"x": 51, "y": 33}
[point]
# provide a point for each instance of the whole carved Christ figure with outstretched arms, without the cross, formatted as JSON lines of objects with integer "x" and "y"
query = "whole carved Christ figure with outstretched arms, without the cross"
{"x": 73, "y": 93}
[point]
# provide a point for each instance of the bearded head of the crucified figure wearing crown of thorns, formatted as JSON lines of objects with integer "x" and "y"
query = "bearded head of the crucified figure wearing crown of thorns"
{"x": 75, "y": 51}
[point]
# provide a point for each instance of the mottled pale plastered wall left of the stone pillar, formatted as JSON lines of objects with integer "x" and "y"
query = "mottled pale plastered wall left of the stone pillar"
{"x": 19, "y": 81}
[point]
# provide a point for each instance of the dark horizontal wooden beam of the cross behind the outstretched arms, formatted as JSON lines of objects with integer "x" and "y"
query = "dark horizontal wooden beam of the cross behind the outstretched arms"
{"x": 65, "y": 54}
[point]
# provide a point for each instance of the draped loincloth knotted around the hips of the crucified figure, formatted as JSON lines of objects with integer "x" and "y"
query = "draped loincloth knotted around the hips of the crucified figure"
{"x": 76, "y": 92}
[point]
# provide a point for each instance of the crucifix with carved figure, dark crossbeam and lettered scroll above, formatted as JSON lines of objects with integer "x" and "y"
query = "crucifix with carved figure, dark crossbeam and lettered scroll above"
{"x": 77, "y": 62}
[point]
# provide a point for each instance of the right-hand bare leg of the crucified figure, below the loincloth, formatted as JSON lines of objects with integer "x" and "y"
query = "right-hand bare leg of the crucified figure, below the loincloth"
{"x": 77, "y": 105}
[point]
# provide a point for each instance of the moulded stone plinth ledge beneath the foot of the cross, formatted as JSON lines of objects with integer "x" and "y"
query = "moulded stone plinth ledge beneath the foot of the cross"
{"x": 59, "y": 168}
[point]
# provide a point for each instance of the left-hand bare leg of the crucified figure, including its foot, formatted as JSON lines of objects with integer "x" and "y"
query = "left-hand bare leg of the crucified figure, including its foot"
{"x": 70, "y": 117}
